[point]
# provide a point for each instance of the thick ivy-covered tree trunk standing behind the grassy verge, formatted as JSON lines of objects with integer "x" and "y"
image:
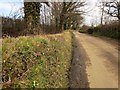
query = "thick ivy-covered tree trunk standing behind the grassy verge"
{"x": 32, "y": 16}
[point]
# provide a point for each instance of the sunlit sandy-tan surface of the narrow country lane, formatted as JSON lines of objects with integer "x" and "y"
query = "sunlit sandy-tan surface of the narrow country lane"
{"x": 100, "y": 59}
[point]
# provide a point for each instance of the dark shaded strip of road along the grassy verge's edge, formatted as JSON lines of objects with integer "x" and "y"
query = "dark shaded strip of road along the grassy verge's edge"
{"x": 78, "y": 75}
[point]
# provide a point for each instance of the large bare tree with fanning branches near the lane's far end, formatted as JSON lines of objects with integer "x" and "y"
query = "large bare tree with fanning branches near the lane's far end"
{"x": 66, "y": 10}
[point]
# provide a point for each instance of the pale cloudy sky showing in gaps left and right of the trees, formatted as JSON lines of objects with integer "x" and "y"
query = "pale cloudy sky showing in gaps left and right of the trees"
{"x": 8, "y": 6}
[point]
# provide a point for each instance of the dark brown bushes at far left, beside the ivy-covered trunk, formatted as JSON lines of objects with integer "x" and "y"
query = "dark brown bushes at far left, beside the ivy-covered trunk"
{"x": 12, "y": 27}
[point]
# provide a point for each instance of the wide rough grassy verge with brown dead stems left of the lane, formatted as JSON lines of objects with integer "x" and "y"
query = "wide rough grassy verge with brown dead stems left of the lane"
{"x": 37, "y": 61}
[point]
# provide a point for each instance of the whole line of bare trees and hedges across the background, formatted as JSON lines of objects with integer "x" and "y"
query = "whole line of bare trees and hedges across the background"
{"x": 55, "y": 17}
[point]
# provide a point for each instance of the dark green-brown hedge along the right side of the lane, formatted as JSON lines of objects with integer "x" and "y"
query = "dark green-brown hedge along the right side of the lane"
{"x": 110, "y": 30}
